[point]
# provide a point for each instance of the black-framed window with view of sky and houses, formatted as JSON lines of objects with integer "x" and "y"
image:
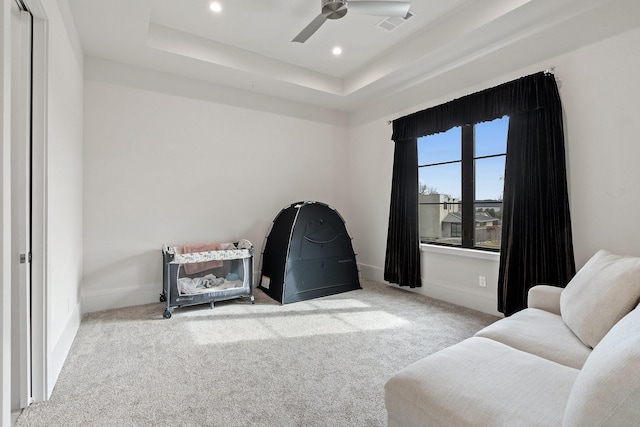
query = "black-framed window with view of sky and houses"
{"x": 461, "y": 179}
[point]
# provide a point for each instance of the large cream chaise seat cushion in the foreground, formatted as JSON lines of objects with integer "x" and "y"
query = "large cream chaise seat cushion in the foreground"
{"x": 479, "y": 382}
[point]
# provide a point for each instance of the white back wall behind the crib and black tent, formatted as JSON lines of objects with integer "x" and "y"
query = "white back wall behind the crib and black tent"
{"x": 167, "y": 162}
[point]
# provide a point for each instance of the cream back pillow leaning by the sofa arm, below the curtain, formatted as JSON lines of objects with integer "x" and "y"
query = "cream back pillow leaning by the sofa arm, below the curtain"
{"x": 605, "y": 289}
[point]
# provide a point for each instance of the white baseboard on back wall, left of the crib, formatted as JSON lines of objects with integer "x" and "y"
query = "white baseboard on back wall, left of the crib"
{"x": 99, "y": 300}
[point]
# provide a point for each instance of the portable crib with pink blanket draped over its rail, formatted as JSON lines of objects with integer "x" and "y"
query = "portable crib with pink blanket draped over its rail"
{"x": 222, "y": 273}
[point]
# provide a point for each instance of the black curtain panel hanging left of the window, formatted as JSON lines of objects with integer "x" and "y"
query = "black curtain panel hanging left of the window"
{"x": 402, "y": 262}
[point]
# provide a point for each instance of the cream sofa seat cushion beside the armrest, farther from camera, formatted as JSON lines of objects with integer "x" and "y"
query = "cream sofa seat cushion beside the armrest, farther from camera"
{"x": 541, "y": 333}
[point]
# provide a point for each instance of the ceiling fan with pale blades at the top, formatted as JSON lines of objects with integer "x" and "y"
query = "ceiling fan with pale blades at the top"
{"x": 336, "y": 9}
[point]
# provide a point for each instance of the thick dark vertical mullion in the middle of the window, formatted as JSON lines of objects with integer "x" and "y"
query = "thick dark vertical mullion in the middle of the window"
{"x": 468, "y": 186}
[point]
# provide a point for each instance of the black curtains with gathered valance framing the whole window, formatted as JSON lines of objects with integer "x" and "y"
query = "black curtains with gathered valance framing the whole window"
{"x": 536, "y": 236}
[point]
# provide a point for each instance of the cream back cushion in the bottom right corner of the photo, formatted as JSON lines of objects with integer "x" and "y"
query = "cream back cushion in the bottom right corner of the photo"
{"x": 607, "y": 390}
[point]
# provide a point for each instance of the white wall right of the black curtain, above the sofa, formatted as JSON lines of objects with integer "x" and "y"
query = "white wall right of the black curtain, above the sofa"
{"x": 600, "y": 89}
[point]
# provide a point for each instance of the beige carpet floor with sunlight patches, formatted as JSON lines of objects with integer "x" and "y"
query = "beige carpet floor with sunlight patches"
{"x": 321, "y": 362}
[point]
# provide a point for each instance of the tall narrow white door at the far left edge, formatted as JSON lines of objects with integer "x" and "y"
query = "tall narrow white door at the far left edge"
{"x": 21, "y": 359}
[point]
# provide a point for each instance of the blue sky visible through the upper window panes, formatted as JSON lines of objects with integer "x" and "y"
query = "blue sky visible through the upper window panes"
{"x": 491, "y": 138}
